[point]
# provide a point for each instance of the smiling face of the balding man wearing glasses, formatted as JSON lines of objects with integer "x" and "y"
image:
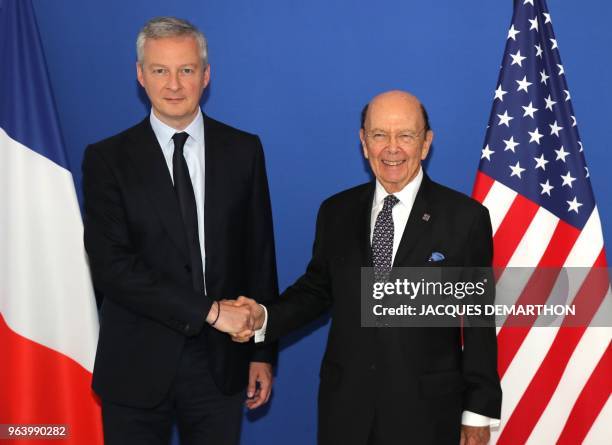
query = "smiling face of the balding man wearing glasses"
{"x": 394, "y": 139}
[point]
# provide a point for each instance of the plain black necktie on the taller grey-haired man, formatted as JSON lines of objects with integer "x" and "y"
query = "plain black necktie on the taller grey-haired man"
{"x": 186, "y": 199}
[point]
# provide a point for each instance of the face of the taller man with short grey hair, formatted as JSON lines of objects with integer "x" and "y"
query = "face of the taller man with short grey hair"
{"x": 173, "y": 75}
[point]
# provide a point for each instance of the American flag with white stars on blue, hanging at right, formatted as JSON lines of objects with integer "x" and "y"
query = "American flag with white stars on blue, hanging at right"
{"x": 534, "y": 180}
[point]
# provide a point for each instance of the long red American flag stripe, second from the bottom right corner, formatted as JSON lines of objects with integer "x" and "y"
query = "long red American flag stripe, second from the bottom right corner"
{"x": 543, "y": 385}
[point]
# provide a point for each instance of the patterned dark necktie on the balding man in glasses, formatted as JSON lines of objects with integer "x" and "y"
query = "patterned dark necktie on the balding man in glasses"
{"x": 382, "y": 240}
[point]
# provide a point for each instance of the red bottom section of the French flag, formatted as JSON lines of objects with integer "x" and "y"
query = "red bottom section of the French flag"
{"x": 42, "y": 386}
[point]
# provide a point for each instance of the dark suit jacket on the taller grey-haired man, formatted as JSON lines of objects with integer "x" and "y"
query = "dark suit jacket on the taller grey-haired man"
{"x": 139, "y": 259}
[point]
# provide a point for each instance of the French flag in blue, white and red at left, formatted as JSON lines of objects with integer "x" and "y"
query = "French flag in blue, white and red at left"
{"x": 48, "y": 317}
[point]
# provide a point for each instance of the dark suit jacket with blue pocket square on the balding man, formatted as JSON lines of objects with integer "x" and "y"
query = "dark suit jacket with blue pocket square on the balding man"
{"x": 417, "y": 381}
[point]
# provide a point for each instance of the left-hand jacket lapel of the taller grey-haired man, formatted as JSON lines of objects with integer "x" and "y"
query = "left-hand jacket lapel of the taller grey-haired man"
{"x": 150, "y": 163}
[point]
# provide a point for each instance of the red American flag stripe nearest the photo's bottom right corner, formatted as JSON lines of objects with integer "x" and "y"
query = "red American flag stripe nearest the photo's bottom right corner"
{"x": 590, "y": 402}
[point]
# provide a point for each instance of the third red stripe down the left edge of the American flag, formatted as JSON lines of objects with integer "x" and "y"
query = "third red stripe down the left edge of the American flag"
{"x": 513, "y": 333}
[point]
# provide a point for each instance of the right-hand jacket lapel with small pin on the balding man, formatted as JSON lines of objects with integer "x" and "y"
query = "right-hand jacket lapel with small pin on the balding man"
{"x": 419, "y": 222}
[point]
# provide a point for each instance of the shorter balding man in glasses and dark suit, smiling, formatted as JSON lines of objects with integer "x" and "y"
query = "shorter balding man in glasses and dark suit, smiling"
{"x": 388, "y": 386}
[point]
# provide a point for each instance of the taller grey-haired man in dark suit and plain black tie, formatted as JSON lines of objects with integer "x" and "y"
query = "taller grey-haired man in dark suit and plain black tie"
{"x": 177, "y": 217}
